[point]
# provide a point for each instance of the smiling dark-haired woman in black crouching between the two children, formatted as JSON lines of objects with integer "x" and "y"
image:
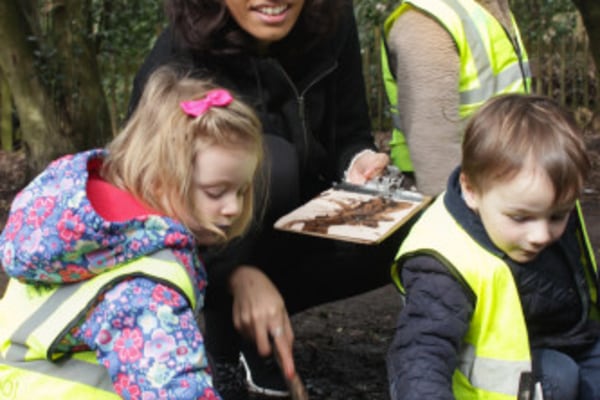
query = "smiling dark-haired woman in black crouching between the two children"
{"x": 298, "y": 64}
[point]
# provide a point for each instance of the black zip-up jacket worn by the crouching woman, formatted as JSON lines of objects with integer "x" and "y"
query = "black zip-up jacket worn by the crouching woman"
{"x": 317, "y": 103}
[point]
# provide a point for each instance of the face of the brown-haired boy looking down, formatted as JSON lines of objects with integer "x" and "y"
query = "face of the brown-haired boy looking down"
{"x": 518, "y": 214}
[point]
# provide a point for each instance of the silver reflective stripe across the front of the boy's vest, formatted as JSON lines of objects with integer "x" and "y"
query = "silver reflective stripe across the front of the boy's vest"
{"x": 493, "y": 375}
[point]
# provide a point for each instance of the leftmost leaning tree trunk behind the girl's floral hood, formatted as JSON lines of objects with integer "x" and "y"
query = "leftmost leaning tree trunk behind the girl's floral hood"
{"x": 39, "y": 123}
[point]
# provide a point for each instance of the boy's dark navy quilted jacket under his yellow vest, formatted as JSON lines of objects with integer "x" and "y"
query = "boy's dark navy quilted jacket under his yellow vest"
{"x": 424, "y": 352}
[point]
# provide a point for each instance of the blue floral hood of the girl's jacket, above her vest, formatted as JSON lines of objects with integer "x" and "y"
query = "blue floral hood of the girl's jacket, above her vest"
{"x": 53, "y": 234}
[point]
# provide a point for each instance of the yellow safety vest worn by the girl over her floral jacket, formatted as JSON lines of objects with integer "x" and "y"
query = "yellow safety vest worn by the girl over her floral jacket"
{"x": 34, "y": 320}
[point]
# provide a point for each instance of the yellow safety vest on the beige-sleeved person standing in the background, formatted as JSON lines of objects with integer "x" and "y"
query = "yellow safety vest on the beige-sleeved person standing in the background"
{"x": 491, "y": 61}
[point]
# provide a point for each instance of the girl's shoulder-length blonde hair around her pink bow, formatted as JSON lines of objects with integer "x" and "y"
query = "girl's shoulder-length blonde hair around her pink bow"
{"x": 153, "y": 156}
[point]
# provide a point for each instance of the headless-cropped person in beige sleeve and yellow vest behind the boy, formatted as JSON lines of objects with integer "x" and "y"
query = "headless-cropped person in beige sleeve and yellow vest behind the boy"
{"x": 468, "y": 52}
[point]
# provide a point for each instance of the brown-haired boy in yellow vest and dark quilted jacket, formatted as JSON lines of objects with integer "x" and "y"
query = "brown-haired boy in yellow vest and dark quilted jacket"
{"x": 499, "y": 275}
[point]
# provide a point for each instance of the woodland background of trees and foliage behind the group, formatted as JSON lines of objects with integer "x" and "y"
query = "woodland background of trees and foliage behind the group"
{"x": 66, "y": 66}
